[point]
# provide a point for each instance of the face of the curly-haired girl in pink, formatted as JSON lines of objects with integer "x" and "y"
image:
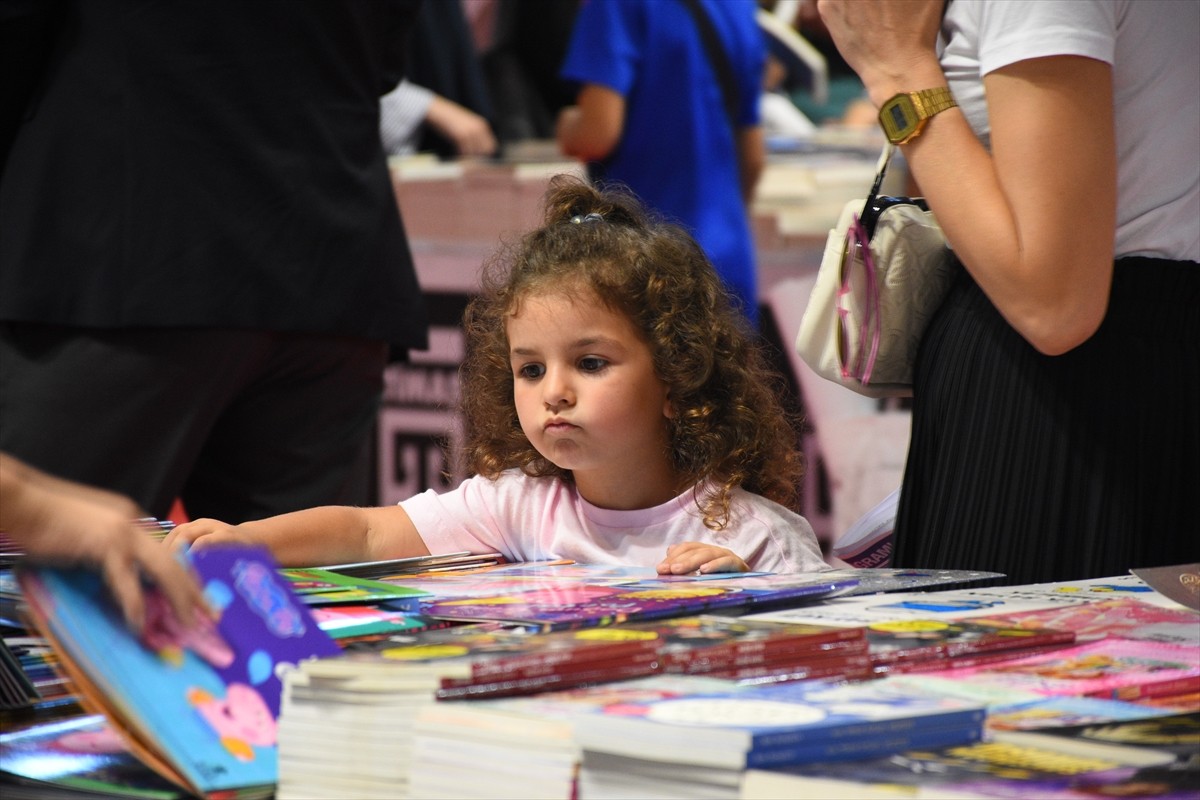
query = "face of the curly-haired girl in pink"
{"x": 590, "y": 401}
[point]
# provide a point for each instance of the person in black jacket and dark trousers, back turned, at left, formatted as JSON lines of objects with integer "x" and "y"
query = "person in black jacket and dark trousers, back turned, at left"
{"x": 203, "y": 267}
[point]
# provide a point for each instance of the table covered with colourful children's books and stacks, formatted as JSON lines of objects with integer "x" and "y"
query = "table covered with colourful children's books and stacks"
{"x": 465, "y": 677}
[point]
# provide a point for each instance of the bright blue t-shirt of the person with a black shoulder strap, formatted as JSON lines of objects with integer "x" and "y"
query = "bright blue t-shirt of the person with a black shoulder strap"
{"x": 677, "y": 152}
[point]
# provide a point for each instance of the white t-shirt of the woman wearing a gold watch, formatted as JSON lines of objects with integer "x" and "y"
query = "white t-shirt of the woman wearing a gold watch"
{"x": 1155, "y": 50}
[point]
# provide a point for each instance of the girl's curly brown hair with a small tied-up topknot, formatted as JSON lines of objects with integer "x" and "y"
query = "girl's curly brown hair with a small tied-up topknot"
{"x": 730, "y": 428}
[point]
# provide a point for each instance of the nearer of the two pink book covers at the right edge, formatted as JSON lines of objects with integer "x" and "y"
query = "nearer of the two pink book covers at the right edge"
{"x": 1111, "y": 667}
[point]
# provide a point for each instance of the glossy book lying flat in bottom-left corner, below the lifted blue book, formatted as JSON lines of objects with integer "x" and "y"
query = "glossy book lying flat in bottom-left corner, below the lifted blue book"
{"x": 79, "y": 756}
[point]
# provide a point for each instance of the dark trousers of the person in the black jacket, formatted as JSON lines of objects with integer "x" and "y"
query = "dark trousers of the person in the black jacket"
{"x": 238, "y": 424}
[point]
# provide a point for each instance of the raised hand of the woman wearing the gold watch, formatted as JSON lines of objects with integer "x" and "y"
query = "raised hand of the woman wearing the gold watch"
{"x": 890, "y": 44}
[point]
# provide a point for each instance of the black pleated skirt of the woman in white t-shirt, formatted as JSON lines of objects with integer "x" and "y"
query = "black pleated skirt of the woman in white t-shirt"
{"x": 1059, "y": 468}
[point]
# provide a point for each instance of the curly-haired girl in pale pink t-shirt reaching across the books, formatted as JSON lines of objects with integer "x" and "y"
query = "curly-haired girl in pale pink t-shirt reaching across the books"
{"x": 619, "y": 412}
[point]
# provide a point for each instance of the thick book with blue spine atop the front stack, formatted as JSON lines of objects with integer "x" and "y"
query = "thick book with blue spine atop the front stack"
{"x": 779, "y": 725}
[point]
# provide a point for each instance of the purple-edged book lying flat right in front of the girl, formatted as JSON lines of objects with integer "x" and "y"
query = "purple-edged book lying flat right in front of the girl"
{"x": 572, "y": 604}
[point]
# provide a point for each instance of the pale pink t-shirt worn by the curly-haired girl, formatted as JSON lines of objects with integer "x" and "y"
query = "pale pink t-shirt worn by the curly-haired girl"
{"x": 537, "y": 519}
